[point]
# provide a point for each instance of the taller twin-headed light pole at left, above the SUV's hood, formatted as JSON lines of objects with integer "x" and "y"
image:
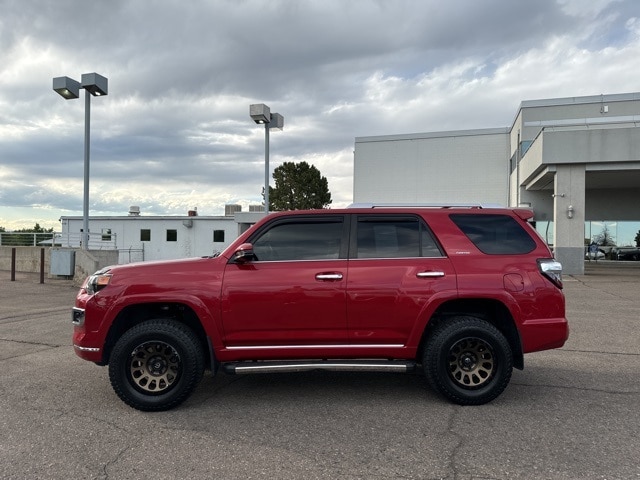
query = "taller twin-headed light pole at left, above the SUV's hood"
{"x": 69, "y": 89}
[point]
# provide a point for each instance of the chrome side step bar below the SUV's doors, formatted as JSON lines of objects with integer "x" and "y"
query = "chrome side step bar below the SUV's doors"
{"x": 399, "y": 366}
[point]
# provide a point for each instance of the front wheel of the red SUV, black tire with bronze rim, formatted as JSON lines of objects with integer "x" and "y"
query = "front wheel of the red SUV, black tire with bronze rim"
{"x": 156, "y": 365}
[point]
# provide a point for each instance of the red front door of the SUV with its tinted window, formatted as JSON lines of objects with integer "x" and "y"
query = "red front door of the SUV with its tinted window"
{"x": 294, "y": 291}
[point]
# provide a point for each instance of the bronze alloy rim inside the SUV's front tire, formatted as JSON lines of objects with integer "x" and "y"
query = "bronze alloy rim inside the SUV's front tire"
{"x": 154, "y": 366}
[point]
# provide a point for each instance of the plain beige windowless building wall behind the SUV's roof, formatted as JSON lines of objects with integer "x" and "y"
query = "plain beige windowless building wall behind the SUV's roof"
{"x": 461, "y": 166}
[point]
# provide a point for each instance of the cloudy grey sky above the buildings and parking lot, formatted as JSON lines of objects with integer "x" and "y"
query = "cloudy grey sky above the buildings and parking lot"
{"x": 174, "y": 132}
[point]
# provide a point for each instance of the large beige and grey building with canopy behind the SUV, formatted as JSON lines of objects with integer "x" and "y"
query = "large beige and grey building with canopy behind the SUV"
{"x": 575, "y": 161}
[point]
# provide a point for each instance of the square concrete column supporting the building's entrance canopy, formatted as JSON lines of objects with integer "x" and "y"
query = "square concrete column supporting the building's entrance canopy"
{"x": 569, "y": 216}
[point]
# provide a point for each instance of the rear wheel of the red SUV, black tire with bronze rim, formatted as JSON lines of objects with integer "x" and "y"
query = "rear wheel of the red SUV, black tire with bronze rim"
{"x": 467, "y": 360}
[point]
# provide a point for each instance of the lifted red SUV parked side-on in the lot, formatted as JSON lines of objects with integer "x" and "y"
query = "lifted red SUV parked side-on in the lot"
{"x": 462, "y": 292}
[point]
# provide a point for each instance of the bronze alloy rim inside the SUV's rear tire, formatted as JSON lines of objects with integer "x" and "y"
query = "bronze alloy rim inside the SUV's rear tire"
{"x": 471, "y": 362}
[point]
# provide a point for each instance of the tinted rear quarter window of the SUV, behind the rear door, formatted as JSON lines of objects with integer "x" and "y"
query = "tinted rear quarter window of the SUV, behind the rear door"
{"x": 495, "y": 234}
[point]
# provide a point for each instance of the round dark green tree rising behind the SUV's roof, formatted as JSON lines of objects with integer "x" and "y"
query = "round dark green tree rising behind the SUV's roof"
{"x": 299, "y": 186}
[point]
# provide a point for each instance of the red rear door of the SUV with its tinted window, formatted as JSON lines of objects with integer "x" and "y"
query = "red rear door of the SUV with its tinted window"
{"x": 395, "y": 269}
